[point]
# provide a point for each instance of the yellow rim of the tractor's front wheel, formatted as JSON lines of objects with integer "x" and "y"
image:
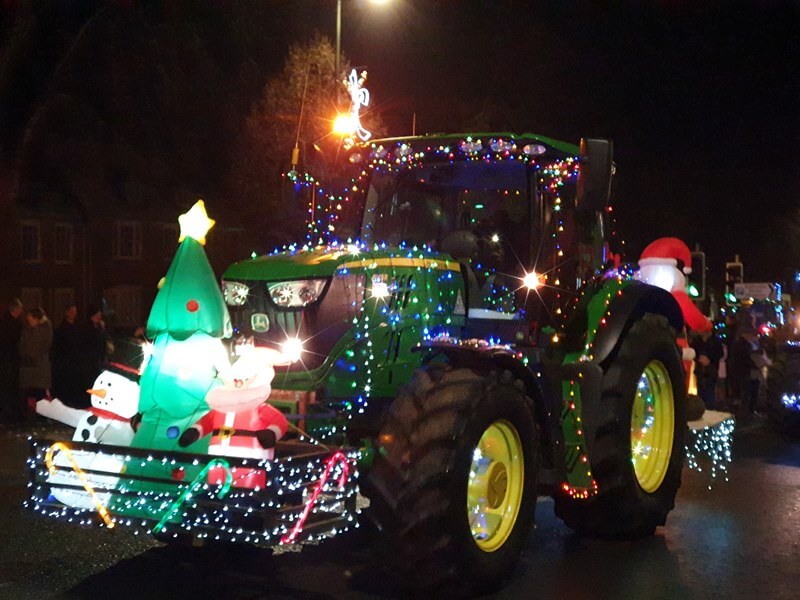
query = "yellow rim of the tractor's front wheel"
{"x": 496, "y": 480}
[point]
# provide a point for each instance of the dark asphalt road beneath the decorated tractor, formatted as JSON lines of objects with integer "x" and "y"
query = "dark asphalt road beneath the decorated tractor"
{"x": 740, "y": 539}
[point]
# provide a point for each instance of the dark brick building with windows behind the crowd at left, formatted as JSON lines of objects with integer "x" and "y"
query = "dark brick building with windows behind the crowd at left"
{"x": 55, "y": 252}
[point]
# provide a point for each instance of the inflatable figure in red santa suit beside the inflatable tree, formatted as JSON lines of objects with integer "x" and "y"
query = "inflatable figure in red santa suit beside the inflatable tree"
{"x": 240, "y": 422}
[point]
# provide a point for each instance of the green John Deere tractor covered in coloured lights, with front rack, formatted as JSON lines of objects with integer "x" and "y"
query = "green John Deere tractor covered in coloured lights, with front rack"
{"x": 461, "y": 337}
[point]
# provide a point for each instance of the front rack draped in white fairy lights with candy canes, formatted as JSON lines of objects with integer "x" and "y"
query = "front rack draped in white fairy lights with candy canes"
{"x": 308, "y": 497}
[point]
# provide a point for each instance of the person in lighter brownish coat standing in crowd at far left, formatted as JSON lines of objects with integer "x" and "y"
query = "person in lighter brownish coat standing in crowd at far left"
{"x": 34, "y": 365}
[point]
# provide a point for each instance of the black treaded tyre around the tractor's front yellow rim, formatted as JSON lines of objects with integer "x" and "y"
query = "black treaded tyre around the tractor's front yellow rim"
{"x": 409, "y": 481}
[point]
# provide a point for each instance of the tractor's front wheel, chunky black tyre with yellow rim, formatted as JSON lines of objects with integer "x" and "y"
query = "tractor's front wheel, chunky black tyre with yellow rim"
{"x": 453, "y": 486}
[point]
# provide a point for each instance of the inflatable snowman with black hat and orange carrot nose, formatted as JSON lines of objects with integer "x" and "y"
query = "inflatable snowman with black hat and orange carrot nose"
{"x": 115, "y": 398}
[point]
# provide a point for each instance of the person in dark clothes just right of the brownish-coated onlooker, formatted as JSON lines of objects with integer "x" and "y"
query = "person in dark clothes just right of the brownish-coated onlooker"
{"x": 68, "y": 384}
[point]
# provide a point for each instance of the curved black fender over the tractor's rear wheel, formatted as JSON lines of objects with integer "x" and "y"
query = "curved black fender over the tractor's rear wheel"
{"x": 628, "y": 307}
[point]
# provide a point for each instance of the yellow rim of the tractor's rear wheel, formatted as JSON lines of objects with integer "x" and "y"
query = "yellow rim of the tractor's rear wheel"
{"x": 652, "y": 426}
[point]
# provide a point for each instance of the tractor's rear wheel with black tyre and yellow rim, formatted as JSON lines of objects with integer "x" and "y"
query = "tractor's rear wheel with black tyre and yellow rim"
{"x": 638, "y": 452}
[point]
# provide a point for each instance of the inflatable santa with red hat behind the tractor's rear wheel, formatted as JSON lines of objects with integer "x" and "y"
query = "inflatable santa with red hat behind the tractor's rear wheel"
{"x": 664, "y": 263}
